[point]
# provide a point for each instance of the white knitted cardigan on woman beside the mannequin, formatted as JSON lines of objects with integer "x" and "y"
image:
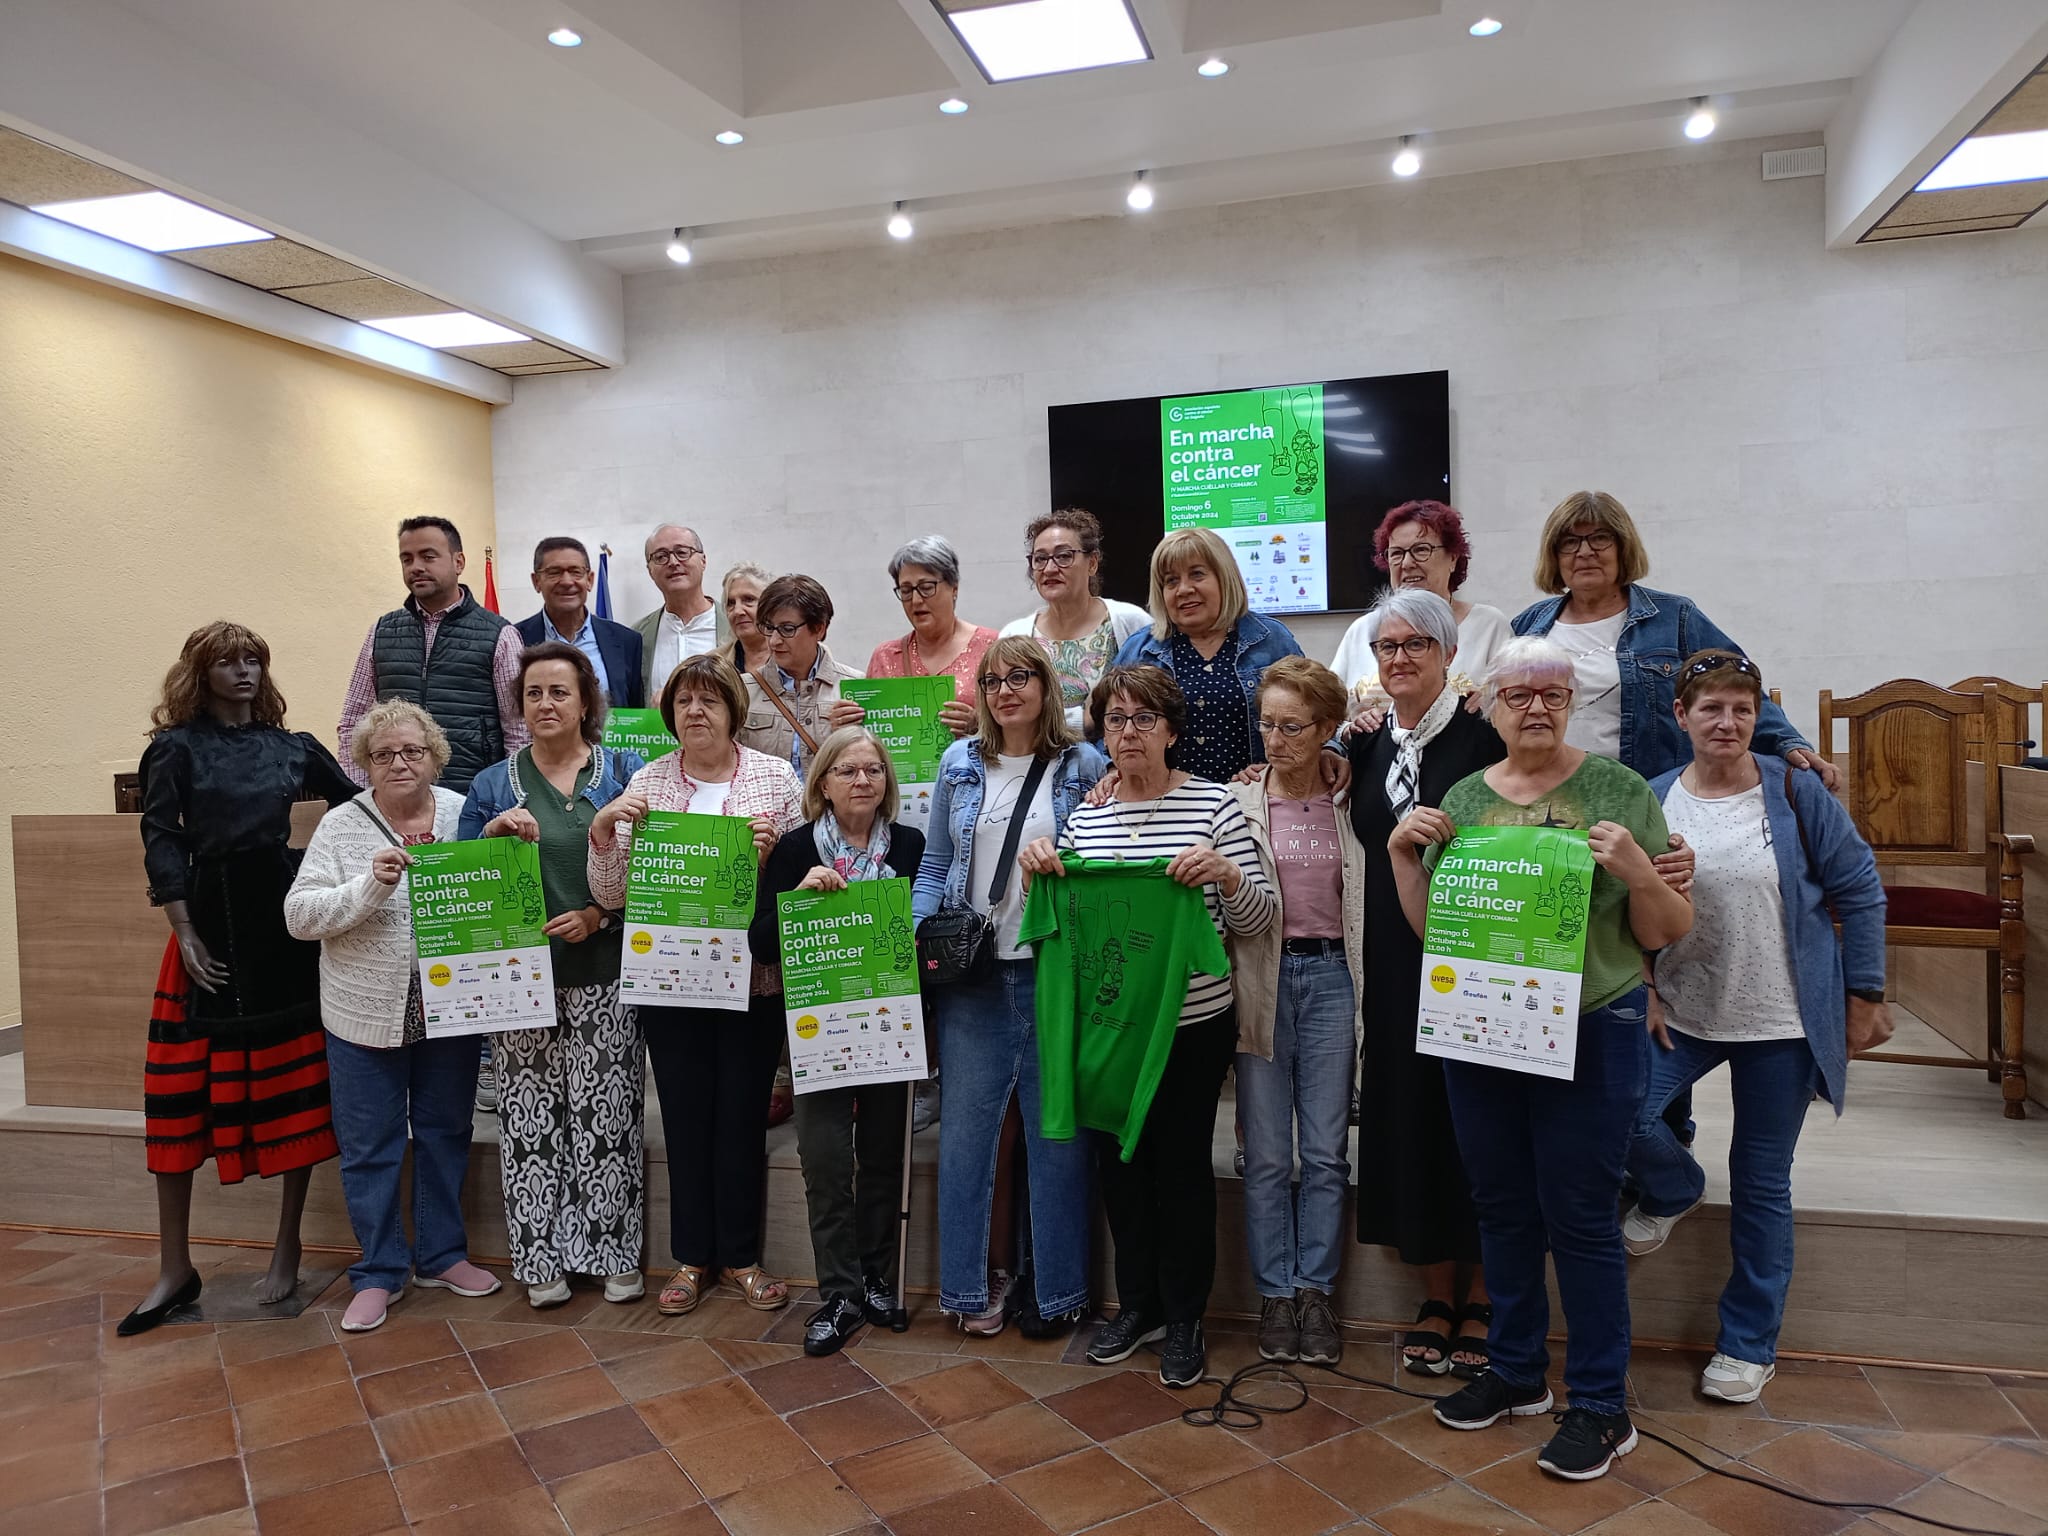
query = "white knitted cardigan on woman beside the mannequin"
{"x": 364, "y": 925}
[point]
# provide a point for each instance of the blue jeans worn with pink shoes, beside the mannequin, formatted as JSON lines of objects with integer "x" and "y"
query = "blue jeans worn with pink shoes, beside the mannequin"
{"x": 376, "y": 1095}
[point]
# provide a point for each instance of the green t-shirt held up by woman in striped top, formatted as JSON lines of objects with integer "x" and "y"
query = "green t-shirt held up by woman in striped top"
{"x": 1117, "y": 945}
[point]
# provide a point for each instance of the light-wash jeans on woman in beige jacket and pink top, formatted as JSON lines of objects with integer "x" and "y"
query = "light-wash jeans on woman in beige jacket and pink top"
{"x": 1304, "y": 1093}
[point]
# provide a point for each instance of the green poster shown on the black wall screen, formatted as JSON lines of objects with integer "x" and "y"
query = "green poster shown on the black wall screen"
{"x": 1250, "y": 466}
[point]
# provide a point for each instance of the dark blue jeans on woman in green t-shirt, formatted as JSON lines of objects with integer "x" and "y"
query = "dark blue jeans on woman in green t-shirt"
{"x": 1545, "y": 1160}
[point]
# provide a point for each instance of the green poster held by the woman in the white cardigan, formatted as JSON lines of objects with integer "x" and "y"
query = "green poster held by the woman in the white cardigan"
{"x": 476, "y": 925}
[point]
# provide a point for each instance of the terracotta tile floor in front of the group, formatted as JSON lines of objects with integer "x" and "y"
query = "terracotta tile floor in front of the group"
{"x": 482, "y": 1416}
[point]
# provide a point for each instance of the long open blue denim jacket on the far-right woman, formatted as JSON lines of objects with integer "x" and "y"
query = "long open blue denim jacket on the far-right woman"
{"x": 1826, "y": 876}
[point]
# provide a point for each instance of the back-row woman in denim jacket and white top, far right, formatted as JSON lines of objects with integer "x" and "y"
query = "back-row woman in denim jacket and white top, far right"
{"x": 1627, "y": 642}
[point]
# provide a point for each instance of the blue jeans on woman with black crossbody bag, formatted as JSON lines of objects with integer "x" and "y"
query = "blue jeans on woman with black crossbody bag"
{"x": 990, "y": 1046}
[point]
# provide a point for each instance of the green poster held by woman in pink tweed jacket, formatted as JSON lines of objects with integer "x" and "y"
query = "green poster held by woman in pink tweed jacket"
{"x": 689, "y": 902}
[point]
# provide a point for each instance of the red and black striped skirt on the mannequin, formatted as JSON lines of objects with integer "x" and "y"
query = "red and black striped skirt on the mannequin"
{"x": 249, "y": 1091}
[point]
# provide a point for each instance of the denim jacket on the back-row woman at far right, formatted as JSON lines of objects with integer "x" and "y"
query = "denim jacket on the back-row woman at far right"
{"x": 1662, "y": 632}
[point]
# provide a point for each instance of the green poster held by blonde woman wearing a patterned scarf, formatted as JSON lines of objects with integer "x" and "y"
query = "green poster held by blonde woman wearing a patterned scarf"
{"x": 851, "y": 986}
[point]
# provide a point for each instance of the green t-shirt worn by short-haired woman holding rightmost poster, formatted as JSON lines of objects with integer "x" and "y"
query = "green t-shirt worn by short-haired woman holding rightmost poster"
{"x": 1598, "y": 792}
